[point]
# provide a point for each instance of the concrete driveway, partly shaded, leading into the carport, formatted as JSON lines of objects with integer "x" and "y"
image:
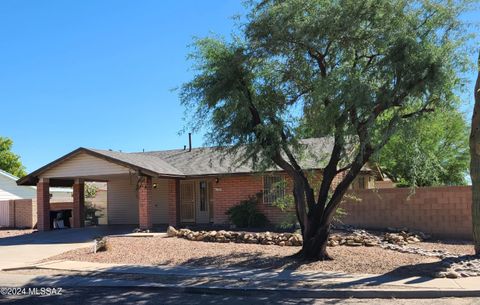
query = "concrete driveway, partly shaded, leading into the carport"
{"x": 24, "y": 250}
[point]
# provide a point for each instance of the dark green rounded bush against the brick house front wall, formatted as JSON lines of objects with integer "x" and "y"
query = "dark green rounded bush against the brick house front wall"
{"x": 246, "y": 215}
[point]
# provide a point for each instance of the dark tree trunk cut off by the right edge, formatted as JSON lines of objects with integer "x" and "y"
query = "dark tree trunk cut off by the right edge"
{"x": 475, "y": 165}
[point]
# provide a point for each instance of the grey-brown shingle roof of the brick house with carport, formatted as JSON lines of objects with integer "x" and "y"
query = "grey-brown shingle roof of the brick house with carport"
{"x": 200, "y": 161}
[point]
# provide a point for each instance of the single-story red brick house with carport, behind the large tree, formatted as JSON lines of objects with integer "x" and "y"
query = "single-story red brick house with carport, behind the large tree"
{"x": 170, "y": 187}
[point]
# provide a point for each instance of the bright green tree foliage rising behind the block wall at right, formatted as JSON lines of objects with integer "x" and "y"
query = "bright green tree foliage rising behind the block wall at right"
{"x": 431, "y": 151}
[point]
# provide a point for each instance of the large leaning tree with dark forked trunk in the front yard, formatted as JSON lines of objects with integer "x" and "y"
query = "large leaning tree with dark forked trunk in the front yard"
{"x": 350, "y": 70}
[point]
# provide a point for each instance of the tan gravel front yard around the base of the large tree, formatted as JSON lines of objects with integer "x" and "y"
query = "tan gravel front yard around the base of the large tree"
{"x": 176, "y": 251}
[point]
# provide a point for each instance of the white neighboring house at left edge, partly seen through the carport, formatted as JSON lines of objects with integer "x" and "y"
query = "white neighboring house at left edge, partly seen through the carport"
{"x": 9, "y": 190}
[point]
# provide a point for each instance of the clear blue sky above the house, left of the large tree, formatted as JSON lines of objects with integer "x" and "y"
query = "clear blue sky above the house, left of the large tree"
{"x": 100, "y": 73}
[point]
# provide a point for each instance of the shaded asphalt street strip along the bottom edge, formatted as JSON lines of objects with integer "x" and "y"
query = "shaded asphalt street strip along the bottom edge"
{"x": 104, "y": 295}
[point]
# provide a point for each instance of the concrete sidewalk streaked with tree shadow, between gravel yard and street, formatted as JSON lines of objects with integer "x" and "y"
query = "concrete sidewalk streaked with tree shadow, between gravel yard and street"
{"x": 266, "y": 280}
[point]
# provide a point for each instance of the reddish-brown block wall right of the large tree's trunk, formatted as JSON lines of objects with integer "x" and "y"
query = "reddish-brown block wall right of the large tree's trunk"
{"x": 440, "y": 211}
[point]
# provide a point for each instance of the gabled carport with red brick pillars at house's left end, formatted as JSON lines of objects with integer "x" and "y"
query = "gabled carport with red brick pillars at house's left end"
{"x": 142, "y": 190}
